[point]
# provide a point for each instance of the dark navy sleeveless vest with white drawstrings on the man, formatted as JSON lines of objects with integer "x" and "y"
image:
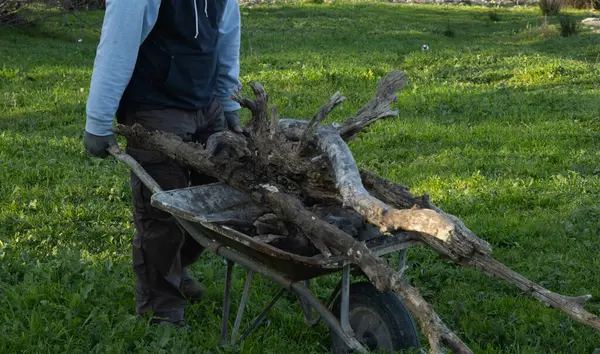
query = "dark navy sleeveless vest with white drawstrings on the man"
{"x": 177, "y": 63}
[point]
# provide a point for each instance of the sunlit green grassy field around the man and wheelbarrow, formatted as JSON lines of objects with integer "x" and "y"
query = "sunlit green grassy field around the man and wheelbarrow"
{"x": 499, "y": 124}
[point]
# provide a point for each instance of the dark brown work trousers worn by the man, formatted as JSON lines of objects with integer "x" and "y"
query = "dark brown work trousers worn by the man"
{"x": 162, "y": 249}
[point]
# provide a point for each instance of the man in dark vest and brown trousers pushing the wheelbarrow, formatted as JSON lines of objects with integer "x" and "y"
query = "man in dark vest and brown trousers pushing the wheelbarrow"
{"x": 167, "y": 65}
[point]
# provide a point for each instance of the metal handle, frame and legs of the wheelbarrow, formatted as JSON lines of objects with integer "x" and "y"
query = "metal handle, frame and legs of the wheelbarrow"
{"x": 237, "y": 243}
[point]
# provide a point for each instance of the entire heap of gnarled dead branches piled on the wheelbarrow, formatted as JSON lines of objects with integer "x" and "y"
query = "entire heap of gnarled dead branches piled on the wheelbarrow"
{"x": 305, "y": 161}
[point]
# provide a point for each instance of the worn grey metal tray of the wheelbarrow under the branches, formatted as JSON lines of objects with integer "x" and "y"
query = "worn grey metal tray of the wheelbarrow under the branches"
{"x": 211, "y": 208}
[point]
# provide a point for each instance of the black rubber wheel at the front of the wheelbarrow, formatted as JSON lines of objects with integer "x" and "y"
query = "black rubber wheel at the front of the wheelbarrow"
{"x": 380, "y": 321}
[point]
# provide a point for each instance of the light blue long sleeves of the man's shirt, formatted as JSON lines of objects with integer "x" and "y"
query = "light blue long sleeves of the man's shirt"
{"x": 127, "y": 23}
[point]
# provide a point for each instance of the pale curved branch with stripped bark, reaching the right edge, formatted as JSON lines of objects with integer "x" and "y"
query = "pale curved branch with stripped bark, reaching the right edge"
{"x": 444, "y": 232}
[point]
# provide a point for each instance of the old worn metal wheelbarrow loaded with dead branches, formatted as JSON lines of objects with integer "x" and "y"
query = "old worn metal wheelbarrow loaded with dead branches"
{"x": 360, "y": 318}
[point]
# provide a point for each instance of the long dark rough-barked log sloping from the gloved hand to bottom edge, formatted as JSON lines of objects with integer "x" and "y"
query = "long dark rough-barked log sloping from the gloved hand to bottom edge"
{"x": 247, "y": 170}
